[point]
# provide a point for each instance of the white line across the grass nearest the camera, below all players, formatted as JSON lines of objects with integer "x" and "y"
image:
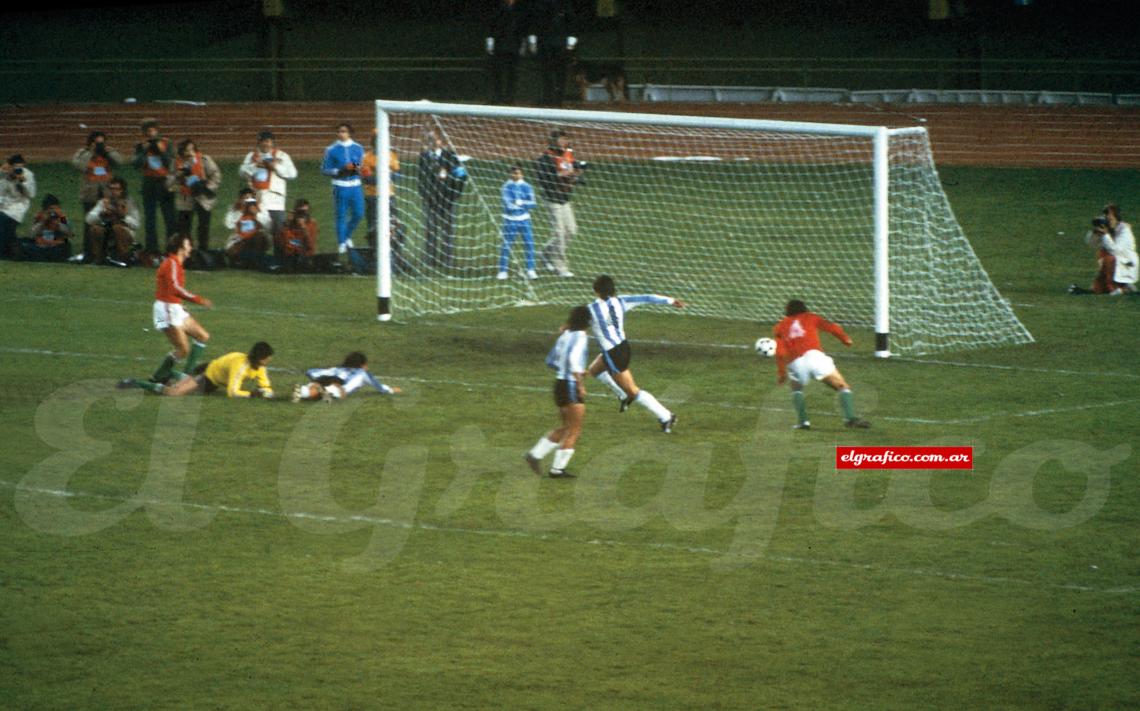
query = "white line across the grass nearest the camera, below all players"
{"x": 918, "y": 573}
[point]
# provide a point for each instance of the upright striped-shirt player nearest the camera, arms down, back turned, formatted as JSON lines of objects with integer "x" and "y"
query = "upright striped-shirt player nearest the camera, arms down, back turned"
{"x": 568, "y": 358}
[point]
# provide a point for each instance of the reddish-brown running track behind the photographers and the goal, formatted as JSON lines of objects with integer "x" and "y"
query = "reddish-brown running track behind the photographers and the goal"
{"x": 976, "y": 135}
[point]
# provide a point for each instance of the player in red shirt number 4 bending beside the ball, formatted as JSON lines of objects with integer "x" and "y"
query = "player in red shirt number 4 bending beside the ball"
{"x": 801, "y": 358}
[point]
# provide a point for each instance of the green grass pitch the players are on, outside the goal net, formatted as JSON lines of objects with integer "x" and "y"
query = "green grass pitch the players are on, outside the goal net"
{"x": 397, "y": 552}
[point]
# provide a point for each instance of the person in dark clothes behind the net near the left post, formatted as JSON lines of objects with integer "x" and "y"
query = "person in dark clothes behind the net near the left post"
{"x": 442, "y": 179}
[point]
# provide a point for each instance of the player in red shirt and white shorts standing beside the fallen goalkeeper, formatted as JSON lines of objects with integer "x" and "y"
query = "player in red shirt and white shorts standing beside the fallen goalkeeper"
{"x": 169, "y": 315}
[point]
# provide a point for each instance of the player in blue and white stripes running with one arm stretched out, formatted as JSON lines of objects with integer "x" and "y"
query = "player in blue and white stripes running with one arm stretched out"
{"x": 608, "y": 318}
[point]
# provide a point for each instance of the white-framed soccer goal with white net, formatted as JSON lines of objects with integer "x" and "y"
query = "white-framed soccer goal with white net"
{"x": 734, "y": 216}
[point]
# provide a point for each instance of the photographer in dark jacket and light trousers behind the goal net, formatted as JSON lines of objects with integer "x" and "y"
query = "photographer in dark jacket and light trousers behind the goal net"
{"x": 558, "y": 174}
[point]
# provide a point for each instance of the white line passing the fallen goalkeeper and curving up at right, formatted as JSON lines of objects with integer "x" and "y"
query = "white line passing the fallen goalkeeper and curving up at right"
{"x": 729, "y": 406}
